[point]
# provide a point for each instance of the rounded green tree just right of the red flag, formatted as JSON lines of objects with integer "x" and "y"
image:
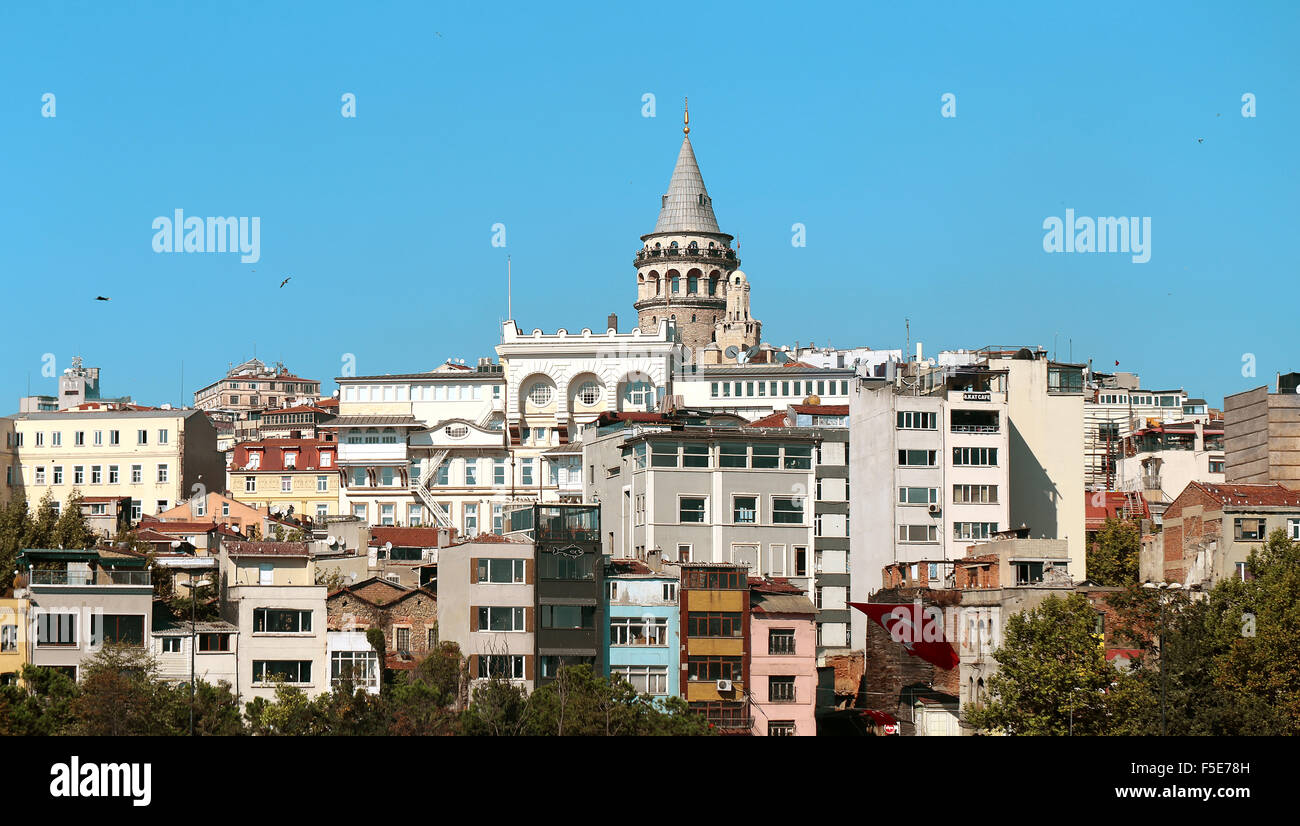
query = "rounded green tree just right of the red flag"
{"x": 1052, "y": 676}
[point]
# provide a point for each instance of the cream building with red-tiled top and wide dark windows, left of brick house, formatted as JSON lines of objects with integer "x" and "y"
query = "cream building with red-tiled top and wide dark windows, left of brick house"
{"x": 270, "y": 593}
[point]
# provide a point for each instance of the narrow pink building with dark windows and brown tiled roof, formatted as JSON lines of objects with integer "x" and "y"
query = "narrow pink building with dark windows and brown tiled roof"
{"x": 783, "y": 659}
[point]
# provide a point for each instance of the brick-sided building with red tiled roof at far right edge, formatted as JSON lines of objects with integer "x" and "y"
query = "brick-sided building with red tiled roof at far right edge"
{"x": 1211, "y": 530}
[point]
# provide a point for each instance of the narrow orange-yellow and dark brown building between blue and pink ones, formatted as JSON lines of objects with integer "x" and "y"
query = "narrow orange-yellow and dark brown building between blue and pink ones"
{"x": 716, "y": 650}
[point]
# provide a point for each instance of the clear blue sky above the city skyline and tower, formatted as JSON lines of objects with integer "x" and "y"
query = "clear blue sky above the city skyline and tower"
{"x": 531, "y": 115}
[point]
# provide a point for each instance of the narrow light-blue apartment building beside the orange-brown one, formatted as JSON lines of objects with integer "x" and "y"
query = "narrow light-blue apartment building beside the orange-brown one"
{"x": 643, "y": 637}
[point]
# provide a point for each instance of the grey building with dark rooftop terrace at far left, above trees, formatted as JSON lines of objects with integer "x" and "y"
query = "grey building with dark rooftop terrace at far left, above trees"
{"x": 81, "y": 600}
